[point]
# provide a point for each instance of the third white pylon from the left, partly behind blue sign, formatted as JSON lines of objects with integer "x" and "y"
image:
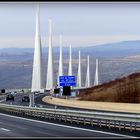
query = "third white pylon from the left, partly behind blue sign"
{"x": 60, "y": 70}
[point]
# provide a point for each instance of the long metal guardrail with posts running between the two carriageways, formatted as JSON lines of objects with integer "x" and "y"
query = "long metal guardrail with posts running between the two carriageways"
{"x": 116, "y": 120}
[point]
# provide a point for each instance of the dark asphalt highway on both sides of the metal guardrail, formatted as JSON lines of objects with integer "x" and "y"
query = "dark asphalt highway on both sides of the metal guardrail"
{"x": 13, "y": 126}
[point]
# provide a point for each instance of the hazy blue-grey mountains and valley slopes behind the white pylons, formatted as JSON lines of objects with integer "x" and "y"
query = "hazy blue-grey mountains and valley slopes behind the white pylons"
{"x": 115, "y": 60}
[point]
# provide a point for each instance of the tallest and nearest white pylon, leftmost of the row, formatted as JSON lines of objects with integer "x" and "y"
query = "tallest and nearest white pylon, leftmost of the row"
{"x": 36, "y": 74}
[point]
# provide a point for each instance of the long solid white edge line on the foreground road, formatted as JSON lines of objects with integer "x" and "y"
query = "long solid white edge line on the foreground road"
{"x": 72, "y": 127}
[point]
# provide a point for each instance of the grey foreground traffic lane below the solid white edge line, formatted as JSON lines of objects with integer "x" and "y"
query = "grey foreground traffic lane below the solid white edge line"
{"x": 11, "y": 126}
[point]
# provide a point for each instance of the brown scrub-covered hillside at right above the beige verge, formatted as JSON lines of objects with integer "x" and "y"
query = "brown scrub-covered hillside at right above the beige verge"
{"x": 124, "y": 90}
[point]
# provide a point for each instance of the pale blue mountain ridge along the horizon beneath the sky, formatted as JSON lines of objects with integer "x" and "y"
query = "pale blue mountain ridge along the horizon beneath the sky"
{"x": 119, "y": 49}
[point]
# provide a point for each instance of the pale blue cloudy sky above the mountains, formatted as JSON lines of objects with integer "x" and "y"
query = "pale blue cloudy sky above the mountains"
{"x": 80, "y": 24}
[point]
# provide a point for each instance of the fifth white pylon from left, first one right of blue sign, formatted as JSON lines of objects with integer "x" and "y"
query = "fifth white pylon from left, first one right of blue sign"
{"x": 79, "y": 72}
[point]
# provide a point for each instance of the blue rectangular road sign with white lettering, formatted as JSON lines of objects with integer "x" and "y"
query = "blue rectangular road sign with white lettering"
{"x": 67, "y": 80}
